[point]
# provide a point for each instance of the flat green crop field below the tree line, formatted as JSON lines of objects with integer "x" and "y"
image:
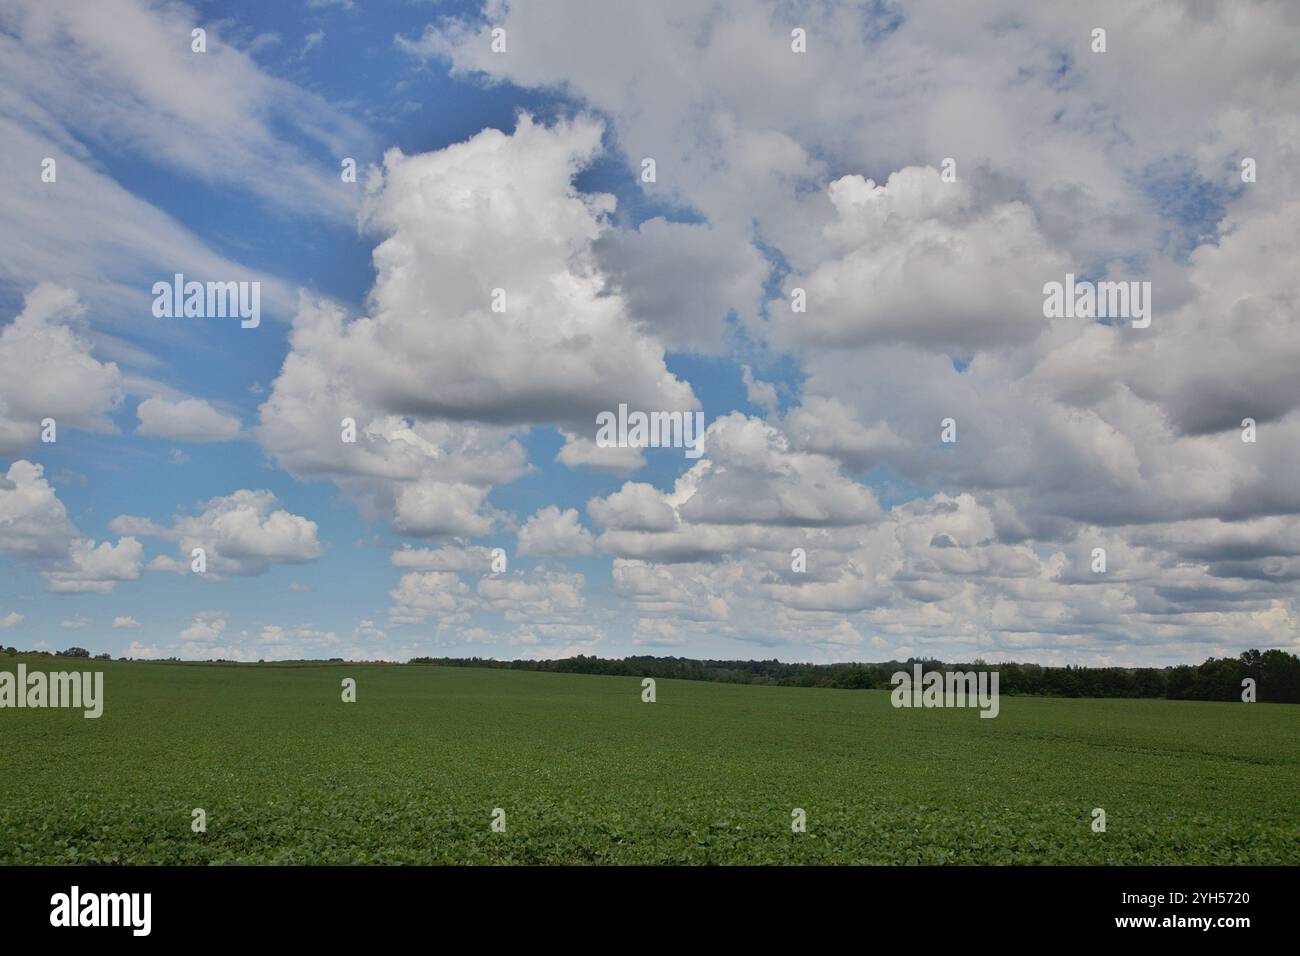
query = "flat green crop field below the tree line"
{"x": 590, "y": 775}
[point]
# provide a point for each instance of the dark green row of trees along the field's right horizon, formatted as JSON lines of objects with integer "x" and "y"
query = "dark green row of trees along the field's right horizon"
{"x": 1276, "y": 674}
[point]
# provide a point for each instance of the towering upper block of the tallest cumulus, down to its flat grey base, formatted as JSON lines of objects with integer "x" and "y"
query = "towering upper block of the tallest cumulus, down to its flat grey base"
{"x": 488, "y": 304}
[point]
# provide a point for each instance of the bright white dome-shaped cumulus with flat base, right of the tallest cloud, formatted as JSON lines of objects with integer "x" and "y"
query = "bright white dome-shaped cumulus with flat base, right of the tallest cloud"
{"x": 924, "y": 262}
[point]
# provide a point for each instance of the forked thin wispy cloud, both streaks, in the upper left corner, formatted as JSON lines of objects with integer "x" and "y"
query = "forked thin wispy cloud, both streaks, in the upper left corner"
{"x": 122, "y": 80}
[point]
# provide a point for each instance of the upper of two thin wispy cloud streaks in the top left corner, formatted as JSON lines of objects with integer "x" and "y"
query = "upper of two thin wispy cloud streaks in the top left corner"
{"x": 122, "y": 73}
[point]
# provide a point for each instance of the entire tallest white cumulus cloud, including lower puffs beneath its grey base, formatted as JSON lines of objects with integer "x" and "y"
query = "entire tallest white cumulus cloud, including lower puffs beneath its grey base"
{"x": 489, "y": 313}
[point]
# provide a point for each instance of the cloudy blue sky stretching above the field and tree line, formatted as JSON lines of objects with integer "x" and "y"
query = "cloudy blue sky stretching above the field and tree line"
{"x": 840, "y": 261}
